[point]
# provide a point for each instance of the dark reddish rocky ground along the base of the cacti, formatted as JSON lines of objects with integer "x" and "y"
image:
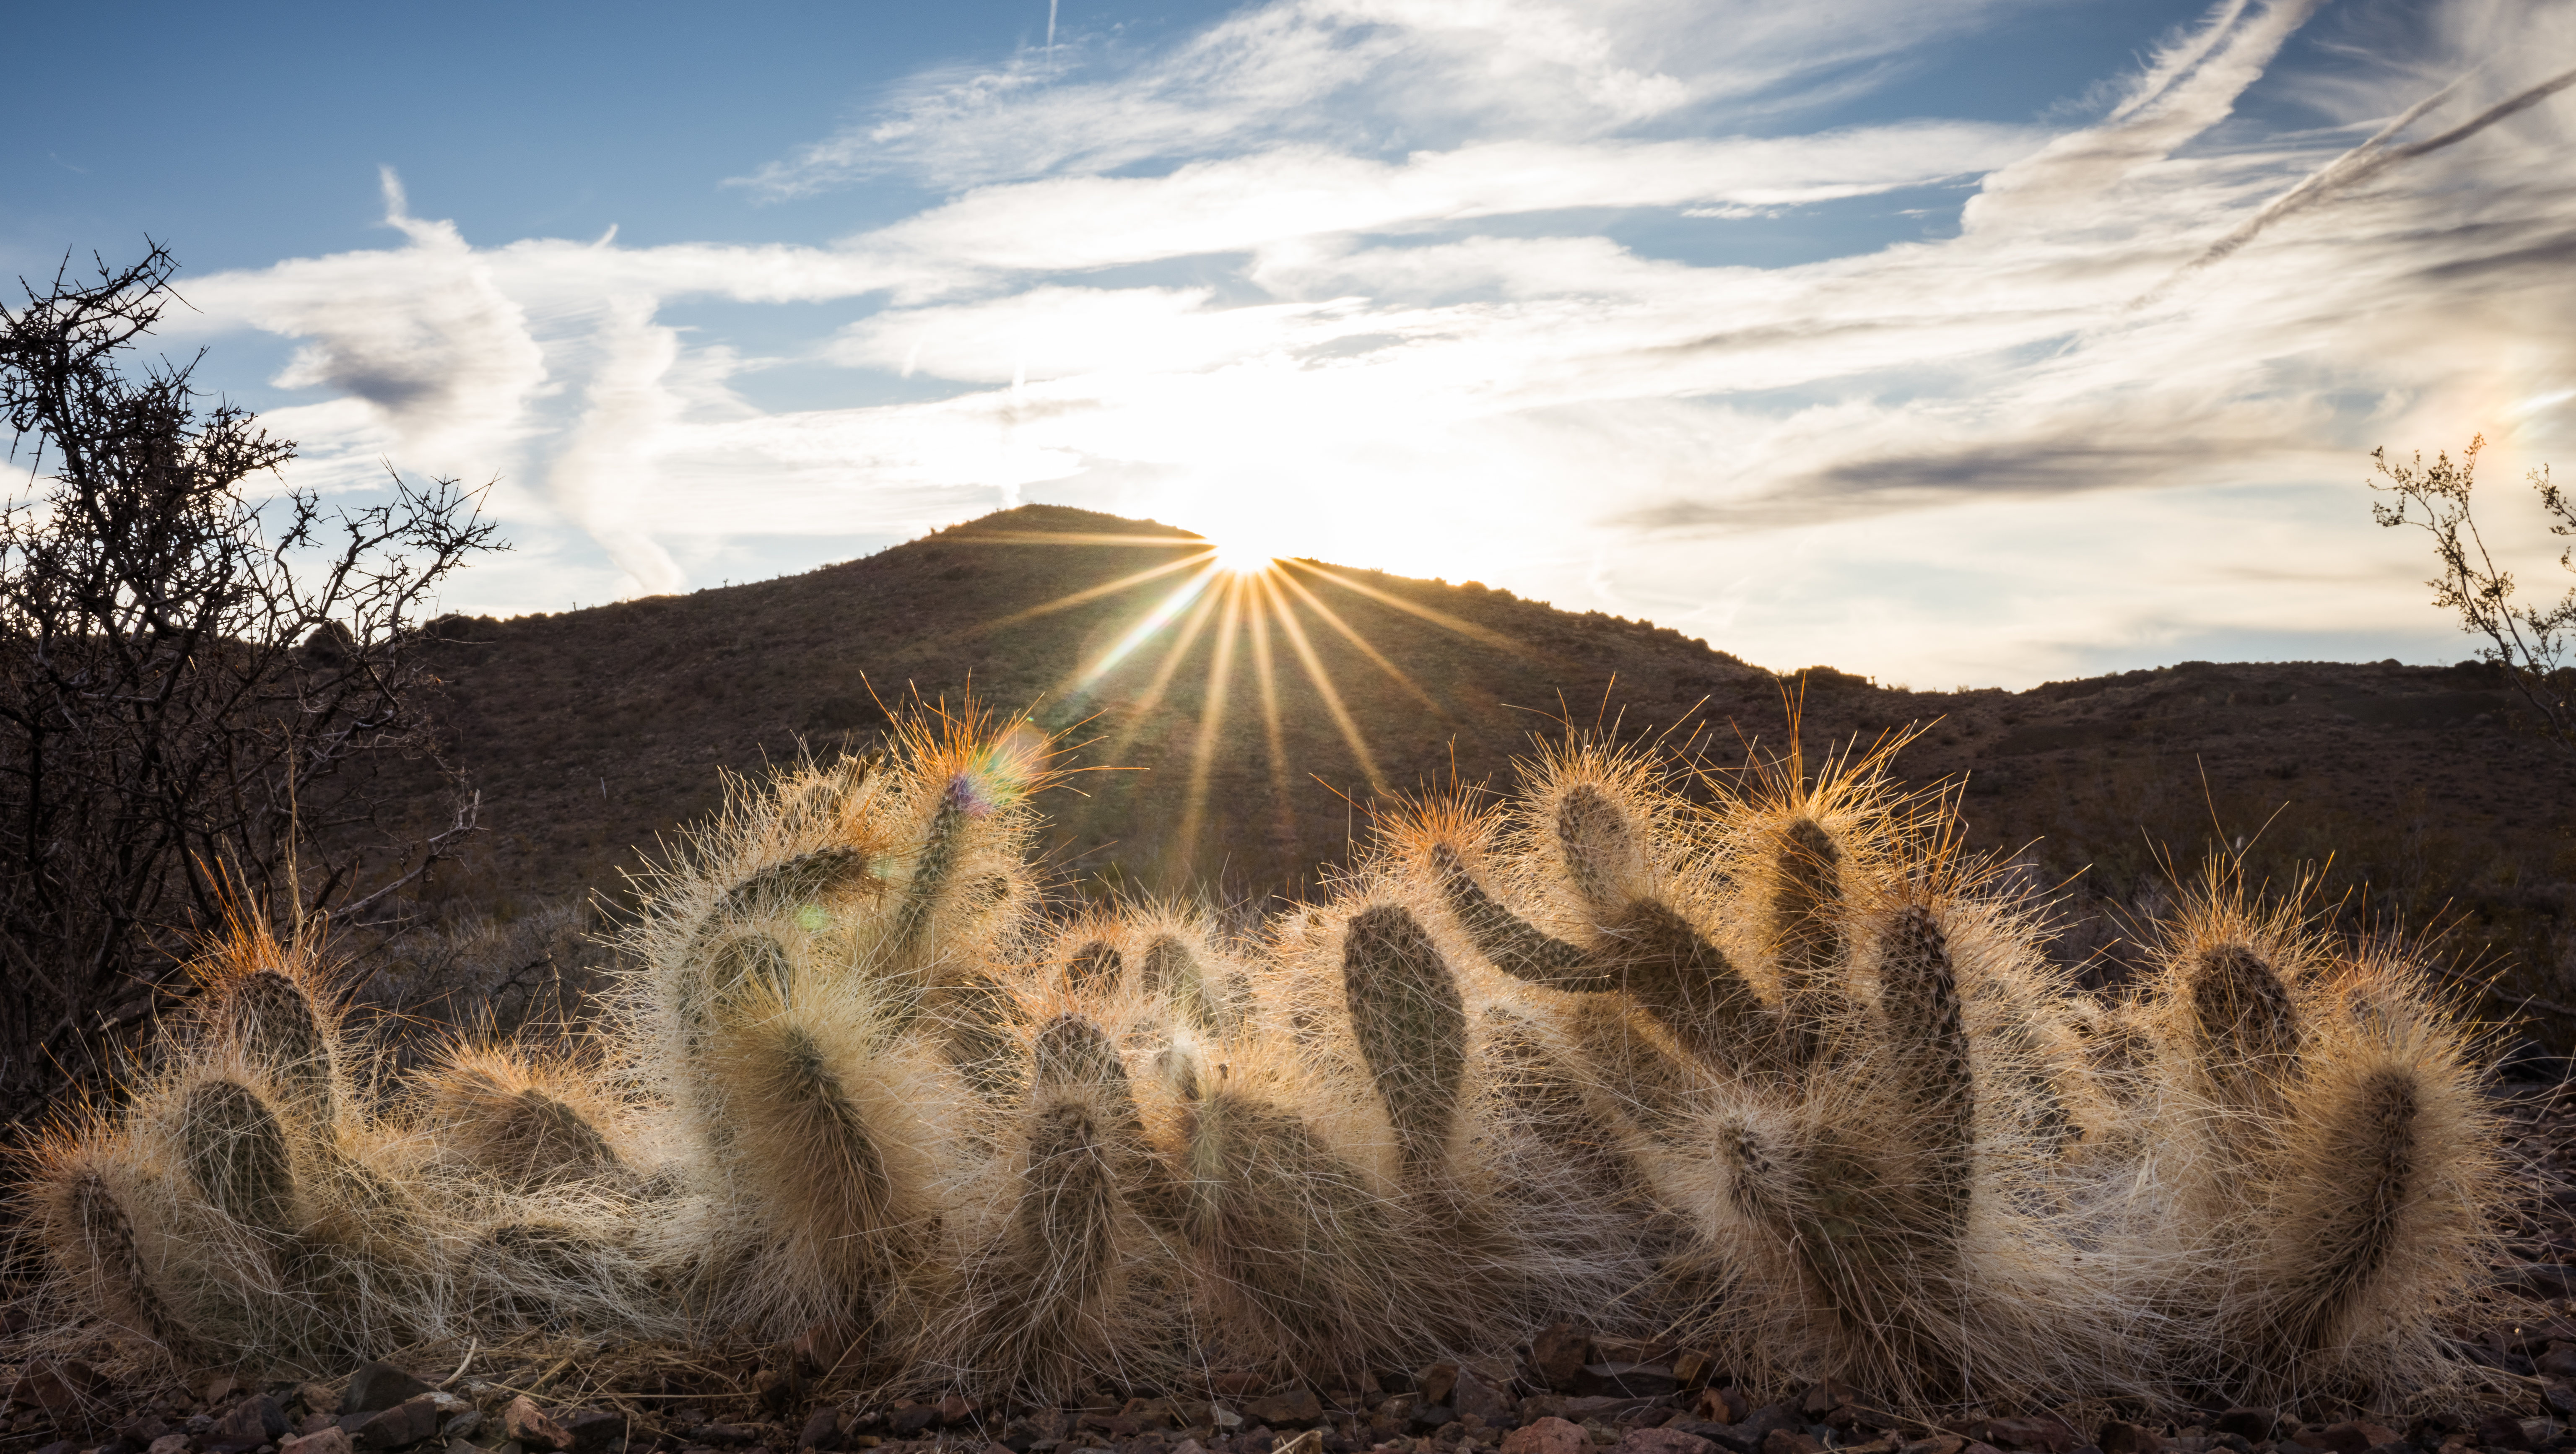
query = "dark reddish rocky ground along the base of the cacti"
{"x": 1565, "y": 1393}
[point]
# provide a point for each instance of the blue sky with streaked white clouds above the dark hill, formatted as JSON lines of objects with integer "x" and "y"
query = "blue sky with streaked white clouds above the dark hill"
{"x": 1946, "y": 342}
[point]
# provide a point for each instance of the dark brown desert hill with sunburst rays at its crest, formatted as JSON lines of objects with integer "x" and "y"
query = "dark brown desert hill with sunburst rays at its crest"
{"x": 599, "y": 733}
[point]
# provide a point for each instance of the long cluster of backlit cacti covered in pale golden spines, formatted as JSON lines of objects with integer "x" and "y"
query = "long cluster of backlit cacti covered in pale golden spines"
{"x": 1776, "y": 1071}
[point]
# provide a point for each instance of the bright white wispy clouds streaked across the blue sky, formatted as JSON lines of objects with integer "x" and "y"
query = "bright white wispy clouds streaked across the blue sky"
{"x": 1372, "y": 280}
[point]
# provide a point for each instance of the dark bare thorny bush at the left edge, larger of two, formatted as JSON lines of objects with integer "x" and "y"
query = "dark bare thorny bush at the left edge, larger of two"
{"x": 192, "y": 682}
